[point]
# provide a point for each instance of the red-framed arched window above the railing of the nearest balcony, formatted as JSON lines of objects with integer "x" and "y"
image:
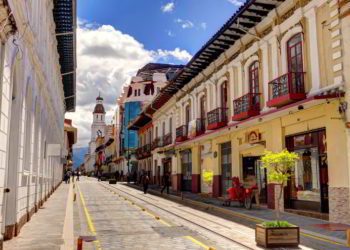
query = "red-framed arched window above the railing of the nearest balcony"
{"x": 295, "y": 54}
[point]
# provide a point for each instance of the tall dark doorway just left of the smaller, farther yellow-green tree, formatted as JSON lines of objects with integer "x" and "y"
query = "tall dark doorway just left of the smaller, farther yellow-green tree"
{"x": 186, "y": 170}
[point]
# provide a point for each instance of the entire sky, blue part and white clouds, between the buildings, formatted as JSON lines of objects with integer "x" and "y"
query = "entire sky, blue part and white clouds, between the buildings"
{"x": 115, "y": 38}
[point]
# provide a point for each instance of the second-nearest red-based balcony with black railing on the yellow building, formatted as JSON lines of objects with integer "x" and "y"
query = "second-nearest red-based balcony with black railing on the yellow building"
{"x": 246, "y": 106}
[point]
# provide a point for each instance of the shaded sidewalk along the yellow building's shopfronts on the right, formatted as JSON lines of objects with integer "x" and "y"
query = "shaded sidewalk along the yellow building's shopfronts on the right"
{"x": 309, "y": 226}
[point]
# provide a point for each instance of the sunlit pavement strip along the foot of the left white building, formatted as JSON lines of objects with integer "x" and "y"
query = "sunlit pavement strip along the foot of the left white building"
{"x": 48, "y": 227}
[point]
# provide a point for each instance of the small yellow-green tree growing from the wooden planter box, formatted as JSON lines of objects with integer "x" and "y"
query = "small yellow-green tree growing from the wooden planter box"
{"x": 279, "y": 165}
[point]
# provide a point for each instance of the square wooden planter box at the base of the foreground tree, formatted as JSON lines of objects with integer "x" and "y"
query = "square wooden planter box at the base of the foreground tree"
{"x": 270, "y": 237}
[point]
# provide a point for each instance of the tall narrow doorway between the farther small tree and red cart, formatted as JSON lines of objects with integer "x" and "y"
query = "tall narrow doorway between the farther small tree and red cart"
{"x": 226, "y": 167}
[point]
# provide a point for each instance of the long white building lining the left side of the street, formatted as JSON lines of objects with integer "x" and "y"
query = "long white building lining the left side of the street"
{"x": 37, "y": 87}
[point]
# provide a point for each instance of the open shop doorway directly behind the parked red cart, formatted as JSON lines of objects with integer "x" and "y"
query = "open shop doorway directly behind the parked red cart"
{"x": 252, "y": 168}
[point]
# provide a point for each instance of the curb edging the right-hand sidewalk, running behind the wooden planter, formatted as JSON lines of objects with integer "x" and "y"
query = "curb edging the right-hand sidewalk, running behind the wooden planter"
{"x": 303, "y": 232}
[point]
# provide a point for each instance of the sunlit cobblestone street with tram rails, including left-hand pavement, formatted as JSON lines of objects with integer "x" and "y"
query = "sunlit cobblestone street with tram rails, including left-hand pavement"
{"x": 122, "y": 217}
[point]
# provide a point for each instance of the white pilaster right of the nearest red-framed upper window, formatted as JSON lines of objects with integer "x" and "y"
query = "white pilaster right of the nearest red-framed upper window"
{"x": 313, "y": 51}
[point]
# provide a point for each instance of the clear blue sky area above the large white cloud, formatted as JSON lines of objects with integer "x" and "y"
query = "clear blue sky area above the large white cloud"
{"x": 186, "y": 24}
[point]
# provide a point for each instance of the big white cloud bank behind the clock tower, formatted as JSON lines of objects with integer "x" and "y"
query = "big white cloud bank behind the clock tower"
{"x": 106, "y": 59}
